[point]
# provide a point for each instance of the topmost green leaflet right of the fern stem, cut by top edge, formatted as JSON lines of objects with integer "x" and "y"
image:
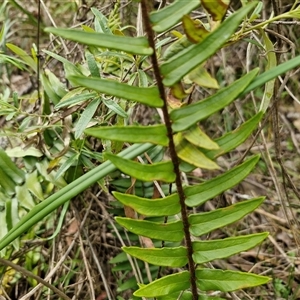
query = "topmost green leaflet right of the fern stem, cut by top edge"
{"x": 170, "y": 15}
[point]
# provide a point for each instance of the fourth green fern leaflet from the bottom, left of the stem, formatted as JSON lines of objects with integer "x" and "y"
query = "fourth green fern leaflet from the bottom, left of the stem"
{"x": 167, "y": 206}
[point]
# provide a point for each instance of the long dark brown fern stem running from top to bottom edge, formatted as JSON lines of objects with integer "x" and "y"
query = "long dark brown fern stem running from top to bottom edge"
{"x": 173, "y": 154}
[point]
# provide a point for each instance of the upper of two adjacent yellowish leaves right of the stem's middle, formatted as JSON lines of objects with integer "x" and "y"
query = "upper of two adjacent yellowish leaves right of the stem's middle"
{"x": 199, "y": 138}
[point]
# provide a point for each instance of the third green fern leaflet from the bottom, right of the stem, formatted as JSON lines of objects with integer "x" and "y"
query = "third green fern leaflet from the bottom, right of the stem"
{"x": 203, "y": 223}
